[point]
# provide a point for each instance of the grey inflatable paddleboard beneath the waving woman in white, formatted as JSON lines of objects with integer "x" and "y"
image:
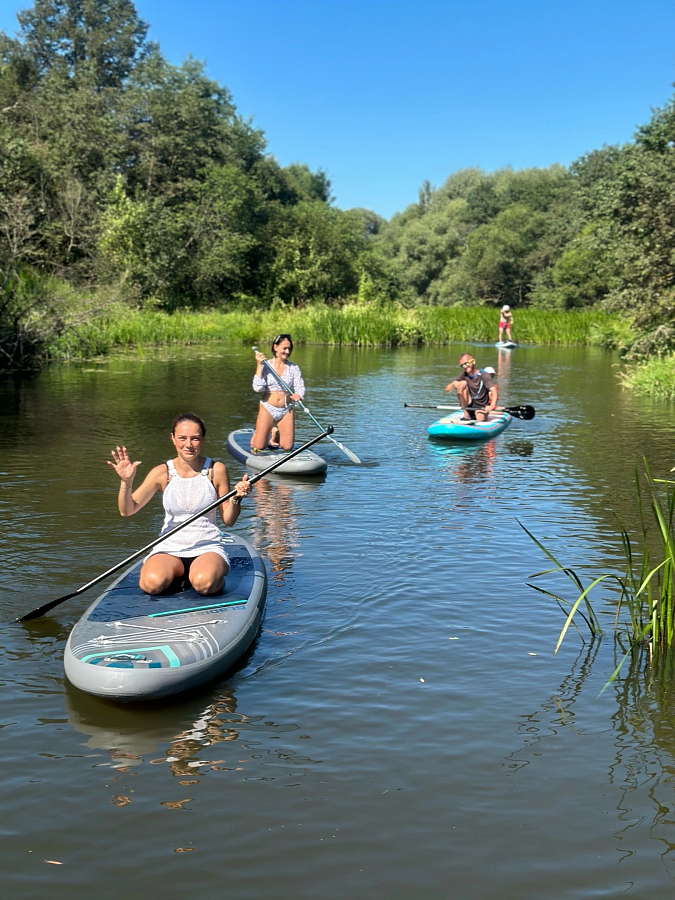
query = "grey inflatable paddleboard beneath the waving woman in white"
{"x": 132, "y": 646}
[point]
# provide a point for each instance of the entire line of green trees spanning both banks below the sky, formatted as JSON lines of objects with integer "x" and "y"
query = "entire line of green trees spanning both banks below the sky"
{"x": 127, "y": 180}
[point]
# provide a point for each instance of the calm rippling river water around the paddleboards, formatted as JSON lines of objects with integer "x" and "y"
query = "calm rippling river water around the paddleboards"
{"x": 401, "y": 727}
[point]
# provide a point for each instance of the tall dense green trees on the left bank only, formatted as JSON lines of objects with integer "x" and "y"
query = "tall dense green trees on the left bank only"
{"x": 123, "y": 172}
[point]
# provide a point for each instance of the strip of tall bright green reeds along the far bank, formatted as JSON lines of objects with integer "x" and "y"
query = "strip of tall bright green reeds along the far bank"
{"x": 361, "y": 326}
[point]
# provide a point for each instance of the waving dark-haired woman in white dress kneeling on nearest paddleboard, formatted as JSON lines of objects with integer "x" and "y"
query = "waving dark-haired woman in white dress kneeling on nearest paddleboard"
{"x": 189, "y": 483}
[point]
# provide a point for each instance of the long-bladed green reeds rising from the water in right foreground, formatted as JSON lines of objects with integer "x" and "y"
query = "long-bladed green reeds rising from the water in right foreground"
{"x": 645, "y": 609}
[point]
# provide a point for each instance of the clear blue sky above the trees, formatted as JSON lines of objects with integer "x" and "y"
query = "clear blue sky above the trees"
{"x": 384, "y": 94}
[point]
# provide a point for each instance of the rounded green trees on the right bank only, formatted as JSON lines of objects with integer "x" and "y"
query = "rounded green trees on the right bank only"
{"x": 601, "y": 234}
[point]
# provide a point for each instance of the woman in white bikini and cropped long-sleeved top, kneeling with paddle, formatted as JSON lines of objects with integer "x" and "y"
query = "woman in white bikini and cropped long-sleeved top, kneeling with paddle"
{"x": 275, "y": 416}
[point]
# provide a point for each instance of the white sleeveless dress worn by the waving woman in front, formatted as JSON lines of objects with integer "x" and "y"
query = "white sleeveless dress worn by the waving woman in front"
{"x": 183, "y": 497}
